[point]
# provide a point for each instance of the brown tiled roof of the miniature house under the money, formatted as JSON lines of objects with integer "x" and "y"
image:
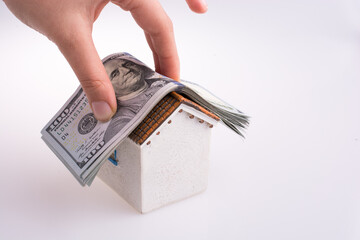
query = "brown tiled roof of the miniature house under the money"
{"x": 160, "y": 113}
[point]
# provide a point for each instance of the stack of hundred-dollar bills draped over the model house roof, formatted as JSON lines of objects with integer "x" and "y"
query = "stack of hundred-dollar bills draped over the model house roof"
{"x": 82, "y": 143}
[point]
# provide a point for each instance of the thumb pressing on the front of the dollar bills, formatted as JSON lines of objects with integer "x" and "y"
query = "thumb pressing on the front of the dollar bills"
{"x": 80, "y": 52}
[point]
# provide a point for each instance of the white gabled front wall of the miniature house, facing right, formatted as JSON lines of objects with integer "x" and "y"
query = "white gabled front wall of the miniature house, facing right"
{"x": 175, "y": 164}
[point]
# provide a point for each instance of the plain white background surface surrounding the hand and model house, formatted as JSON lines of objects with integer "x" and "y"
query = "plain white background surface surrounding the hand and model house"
{"x": 293, "y": 66}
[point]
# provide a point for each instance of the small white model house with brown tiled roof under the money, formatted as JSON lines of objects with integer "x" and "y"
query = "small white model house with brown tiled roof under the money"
{"x": 166, "y": 158}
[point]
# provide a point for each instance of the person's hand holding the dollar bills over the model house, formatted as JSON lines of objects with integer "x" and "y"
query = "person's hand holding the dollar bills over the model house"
{"x": 68, "y": 23}
